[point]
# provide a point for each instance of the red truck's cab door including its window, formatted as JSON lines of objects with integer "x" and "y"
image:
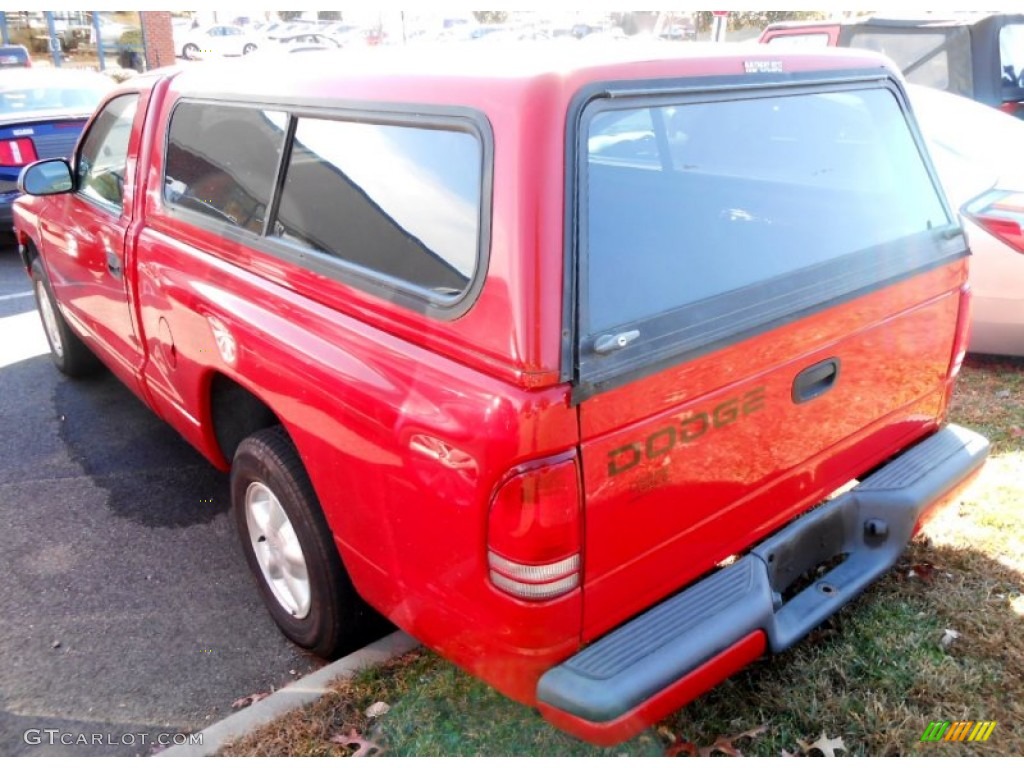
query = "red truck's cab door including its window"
{"x": 86, "y": 238}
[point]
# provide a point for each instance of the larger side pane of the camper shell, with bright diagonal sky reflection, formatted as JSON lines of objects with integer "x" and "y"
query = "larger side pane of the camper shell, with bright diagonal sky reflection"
{"x": 402, "y": 201}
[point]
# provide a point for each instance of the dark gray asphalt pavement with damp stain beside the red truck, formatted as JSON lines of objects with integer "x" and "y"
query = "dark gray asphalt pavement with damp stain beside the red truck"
{"x": 127, "y": 613}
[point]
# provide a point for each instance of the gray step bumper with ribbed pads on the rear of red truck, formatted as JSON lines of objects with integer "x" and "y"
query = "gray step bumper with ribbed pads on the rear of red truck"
{"x": 871, "y": 526}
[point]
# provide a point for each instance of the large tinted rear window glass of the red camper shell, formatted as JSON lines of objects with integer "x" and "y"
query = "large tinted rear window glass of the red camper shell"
{"x": 733, "y": 215}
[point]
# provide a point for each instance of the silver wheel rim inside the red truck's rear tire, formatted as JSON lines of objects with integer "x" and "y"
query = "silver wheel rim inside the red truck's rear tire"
{"x": 278, "y": 551}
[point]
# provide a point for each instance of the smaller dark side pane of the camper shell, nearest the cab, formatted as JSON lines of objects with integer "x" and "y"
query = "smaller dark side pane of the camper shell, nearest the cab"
{"x": 222, "y": 162}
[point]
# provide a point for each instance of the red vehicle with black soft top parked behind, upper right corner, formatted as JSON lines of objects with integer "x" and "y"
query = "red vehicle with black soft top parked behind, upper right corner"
{"x": 980, "y": 56}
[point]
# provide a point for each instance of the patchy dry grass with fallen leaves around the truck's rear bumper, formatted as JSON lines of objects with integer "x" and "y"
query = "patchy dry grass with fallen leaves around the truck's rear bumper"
{"x": 875, "y": 675}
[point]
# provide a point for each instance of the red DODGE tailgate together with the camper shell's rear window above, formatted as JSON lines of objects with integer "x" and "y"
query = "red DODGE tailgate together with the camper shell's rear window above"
{"x": 770, "y": 296}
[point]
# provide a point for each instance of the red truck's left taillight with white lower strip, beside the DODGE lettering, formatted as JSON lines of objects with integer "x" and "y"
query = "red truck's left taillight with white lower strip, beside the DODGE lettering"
{"x": 534, "y": 533}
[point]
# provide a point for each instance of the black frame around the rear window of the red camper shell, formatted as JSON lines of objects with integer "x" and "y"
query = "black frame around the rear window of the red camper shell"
{"x": 631, "y": 365}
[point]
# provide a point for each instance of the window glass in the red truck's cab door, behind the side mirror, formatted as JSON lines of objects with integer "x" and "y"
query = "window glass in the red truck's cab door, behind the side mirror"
{"x": 102, "y": 161}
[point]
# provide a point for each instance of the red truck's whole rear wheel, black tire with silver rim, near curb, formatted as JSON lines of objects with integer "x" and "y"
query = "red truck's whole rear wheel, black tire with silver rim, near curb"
{"x": 291, "y": 551}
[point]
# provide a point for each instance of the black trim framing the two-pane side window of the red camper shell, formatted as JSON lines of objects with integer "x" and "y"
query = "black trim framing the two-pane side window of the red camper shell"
{"x": 381, "y": 285}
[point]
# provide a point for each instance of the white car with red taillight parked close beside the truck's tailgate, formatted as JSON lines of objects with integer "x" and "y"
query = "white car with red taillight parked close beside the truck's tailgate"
{"x": 977, "y": 152}
